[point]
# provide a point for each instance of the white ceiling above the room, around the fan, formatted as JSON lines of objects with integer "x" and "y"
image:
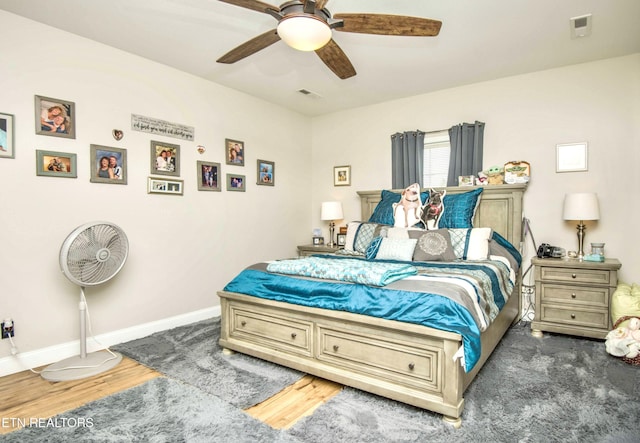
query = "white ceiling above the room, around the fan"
{"x": 480, "y": 40}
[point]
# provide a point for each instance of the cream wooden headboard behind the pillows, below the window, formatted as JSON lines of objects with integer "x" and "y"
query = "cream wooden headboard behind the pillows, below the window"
{"x": 500, "y": 207}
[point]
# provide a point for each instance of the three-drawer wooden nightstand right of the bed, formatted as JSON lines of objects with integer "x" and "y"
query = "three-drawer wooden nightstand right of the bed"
{"x": 574, "y": 297}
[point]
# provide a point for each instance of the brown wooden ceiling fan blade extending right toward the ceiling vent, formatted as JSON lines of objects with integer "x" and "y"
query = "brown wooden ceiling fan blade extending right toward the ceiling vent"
{"x": 386, "y": 24}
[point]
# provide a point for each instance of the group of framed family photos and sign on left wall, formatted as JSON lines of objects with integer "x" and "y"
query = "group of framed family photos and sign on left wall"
{"x": 56, "y": 117}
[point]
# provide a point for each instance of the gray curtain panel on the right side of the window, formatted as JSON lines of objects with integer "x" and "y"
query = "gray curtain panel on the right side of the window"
{"x": 466, "y": 150}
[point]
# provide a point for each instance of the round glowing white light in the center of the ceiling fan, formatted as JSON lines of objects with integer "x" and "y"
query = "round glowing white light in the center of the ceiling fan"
{"x": 304, "y": 32}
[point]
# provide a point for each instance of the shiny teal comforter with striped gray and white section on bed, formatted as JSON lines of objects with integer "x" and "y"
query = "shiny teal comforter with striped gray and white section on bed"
{"x": 460, "y": 297}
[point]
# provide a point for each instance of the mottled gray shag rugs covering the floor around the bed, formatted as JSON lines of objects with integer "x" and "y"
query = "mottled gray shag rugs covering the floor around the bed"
{"x": 555, "y": 389}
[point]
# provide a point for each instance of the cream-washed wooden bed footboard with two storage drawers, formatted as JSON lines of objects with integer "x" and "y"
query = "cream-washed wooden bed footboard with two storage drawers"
{"x": 404, "y": 362}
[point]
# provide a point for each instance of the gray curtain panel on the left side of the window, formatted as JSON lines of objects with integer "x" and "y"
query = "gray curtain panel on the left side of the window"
{"x": 407, "y": 154}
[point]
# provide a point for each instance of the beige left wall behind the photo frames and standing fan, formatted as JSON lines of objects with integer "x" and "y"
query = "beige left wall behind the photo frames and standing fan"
{"x": 182, "y": 248}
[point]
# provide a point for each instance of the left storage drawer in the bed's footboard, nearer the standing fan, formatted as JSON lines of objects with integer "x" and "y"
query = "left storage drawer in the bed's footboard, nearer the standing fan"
{"x": 271, "y": 330}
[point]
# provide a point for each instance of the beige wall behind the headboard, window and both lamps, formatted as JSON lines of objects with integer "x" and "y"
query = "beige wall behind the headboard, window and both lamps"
{"x": 526, "y": 117}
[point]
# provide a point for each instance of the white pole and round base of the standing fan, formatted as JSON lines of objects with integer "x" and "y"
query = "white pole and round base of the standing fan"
{"x": 83, "y": 365}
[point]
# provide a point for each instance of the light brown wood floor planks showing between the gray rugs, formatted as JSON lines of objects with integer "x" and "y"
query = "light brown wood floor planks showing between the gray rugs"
{"x": 26, "y": 395}
